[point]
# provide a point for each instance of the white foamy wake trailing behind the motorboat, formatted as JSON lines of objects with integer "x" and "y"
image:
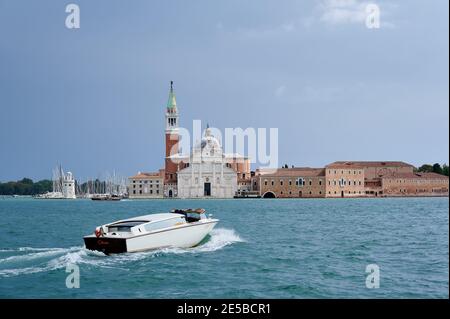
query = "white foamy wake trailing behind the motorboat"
{"x": 29, "y": 260}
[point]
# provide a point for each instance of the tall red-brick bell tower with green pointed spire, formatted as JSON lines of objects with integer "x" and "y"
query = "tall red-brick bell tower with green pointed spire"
{"x": 172, "y": 139}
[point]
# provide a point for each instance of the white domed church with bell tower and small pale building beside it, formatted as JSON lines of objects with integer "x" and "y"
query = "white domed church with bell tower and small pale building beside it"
{"x": 206, "y": 172}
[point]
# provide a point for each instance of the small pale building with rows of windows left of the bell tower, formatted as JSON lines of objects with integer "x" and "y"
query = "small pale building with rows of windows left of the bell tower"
{"x": 146, "y": 185}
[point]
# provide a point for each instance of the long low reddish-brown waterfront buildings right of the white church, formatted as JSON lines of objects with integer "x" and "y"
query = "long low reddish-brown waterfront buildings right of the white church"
{"x": 350, "y": 179}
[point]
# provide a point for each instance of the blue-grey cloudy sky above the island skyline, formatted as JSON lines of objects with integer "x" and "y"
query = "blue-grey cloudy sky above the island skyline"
{"x": 93, "y": 99}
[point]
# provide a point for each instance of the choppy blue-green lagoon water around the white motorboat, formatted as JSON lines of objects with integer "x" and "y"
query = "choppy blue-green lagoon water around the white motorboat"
{"x": 307, "y": 248}
